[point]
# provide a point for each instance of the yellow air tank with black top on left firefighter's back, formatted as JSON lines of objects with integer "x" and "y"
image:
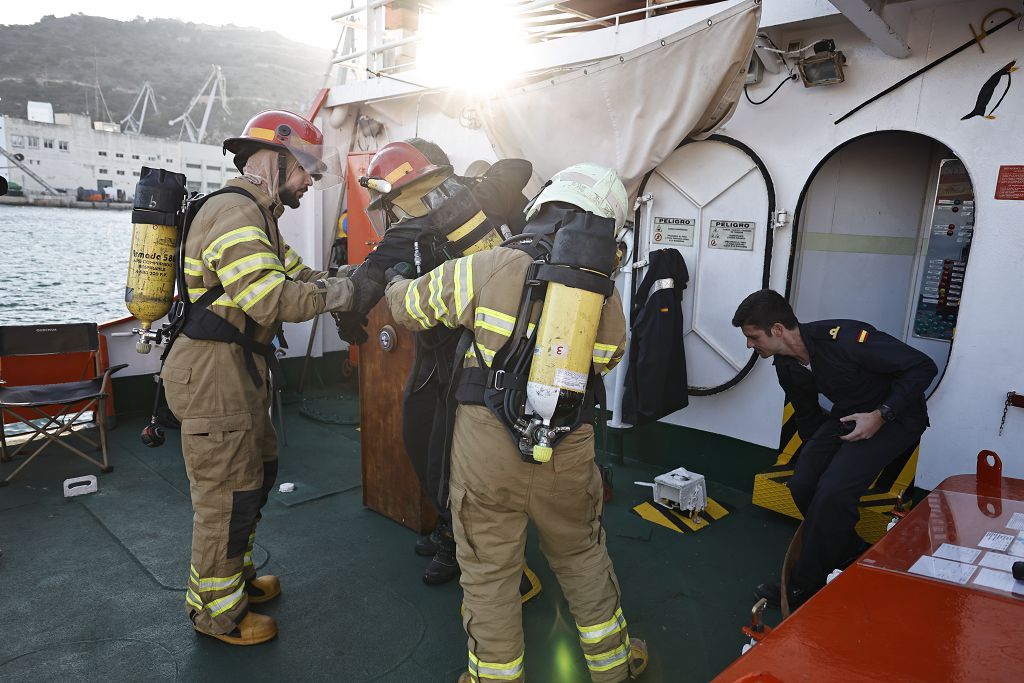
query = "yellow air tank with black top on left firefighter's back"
{"x": 150, "y": 290}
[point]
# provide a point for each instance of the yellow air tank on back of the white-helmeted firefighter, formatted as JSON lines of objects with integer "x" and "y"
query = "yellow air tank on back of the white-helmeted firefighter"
{"x": 578, "y": 275}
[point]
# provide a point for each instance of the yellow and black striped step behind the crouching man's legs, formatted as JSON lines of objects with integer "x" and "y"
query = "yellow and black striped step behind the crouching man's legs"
{"x": 772, "y": 490}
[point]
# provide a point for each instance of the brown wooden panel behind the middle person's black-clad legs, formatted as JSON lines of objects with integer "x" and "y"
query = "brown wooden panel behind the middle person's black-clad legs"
{"x": 390, "y": 484}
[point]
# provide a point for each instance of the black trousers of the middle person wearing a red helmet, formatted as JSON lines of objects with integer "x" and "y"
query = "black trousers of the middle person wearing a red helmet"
{"x": 429, "y": 418}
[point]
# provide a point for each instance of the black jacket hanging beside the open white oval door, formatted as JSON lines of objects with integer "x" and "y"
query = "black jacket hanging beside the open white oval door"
{"x": 656, "y": 377}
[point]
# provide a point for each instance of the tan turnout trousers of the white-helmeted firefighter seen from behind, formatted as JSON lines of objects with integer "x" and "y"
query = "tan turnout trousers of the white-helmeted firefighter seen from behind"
{"x": 494, "y": 495}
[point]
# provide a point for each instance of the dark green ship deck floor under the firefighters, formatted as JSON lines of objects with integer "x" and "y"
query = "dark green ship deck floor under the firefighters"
{"x": 92, "y": 588}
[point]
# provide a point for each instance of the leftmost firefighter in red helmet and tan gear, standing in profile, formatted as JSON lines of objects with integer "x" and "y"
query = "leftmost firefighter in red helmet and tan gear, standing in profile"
{"x": 242, "y": 282}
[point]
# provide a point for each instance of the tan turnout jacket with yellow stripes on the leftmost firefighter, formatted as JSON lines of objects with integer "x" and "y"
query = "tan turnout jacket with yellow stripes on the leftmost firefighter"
{"x": 235, "y": 242}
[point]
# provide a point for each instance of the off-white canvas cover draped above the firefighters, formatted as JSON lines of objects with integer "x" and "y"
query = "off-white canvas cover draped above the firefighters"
{"x": 629, "y": 112}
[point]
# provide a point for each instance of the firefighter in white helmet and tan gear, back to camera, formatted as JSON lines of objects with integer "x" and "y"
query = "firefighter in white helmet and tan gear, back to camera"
{"x": 511, "y": 467}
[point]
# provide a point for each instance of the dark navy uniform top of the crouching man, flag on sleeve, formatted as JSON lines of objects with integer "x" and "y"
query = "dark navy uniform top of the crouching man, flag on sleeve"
{"x": 859, "y": 369}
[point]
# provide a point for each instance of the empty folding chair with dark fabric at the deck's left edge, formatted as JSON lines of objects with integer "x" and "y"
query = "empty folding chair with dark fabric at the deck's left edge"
{"x": 52, "y": 411}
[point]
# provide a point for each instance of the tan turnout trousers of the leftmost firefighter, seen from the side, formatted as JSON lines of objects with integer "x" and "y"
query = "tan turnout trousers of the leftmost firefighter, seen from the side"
{"x": 231, "y": 454}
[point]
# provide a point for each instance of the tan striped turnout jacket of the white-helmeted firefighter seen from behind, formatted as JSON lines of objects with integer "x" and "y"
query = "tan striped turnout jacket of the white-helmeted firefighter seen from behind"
{"x": 482, "y": 293}
